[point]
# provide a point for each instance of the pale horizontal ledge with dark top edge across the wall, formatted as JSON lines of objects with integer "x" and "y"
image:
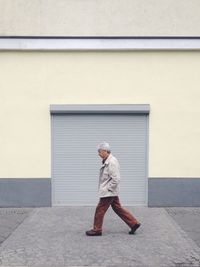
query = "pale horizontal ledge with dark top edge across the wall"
{"x": 99, "y": 43}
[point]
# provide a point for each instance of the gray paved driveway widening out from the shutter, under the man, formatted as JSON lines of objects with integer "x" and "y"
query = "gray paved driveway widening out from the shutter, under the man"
{"x": 56, "y": 237}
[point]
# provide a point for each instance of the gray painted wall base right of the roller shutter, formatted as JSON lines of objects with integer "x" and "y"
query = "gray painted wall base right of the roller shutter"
{"x": 174, "y": 192}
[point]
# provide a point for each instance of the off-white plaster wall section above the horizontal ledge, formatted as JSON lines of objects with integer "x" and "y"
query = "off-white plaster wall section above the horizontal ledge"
{"x": 99, "y": 18}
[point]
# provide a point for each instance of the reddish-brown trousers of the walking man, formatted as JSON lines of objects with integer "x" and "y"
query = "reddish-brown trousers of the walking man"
{"x": 102, "y": 207}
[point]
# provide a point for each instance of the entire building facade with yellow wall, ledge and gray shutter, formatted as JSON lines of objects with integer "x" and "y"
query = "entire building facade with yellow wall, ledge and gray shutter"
{"x": 99, "y": 71}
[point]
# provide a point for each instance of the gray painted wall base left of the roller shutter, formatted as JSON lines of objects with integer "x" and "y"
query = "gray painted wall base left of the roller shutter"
{"x": 31, "y": 192}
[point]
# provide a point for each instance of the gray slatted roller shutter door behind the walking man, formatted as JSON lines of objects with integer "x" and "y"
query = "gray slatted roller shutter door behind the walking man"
{"x": 75, "y": 162}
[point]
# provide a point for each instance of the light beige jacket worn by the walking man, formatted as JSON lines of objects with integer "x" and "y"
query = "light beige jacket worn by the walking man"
{"x": 109, "y": 177}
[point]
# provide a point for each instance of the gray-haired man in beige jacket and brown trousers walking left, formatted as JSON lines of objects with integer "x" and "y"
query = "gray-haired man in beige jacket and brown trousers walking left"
{"x": 109, "y": 179}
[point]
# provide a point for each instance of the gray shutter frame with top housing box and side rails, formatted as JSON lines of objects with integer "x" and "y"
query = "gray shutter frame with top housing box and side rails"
{"x": 143, "y": 109}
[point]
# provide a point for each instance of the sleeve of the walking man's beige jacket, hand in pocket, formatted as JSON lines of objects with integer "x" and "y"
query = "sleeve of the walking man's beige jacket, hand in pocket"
{"x": 114, "y": 176}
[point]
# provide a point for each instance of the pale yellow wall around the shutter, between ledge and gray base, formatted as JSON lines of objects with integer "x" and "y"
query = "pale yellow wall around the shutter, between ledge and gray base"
{"x": 31, "y": 81}
